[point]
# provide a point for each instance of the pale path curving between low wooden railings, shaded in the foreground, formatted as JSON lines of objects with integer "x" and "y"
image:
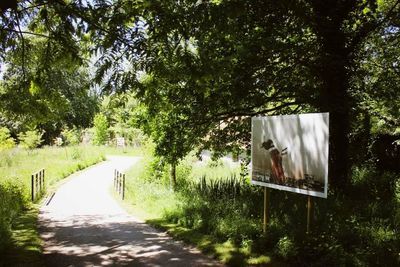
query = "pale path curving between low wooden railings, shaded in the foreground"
{"x": 84, "y": 226}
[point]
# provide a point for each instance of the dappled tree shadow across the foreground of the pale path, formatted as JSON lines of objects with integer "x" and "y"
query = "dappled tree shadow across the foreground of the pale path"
{"x": 113, "y": 241}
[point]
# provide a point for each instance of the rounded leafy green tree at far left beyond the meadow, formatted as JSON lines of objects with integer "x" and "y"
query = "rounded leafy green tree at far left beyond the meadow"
{"x": 46, "y": 90}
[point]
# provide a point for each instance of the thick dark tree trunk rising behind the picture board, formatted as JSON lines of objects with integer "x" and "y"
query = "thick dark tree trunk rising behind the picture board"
{"x": 333, "y": 66}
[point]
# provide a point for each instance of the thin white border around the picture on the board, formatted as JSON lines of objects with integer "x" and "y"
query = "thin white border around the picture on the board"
{"x": 287, "y": 188}
